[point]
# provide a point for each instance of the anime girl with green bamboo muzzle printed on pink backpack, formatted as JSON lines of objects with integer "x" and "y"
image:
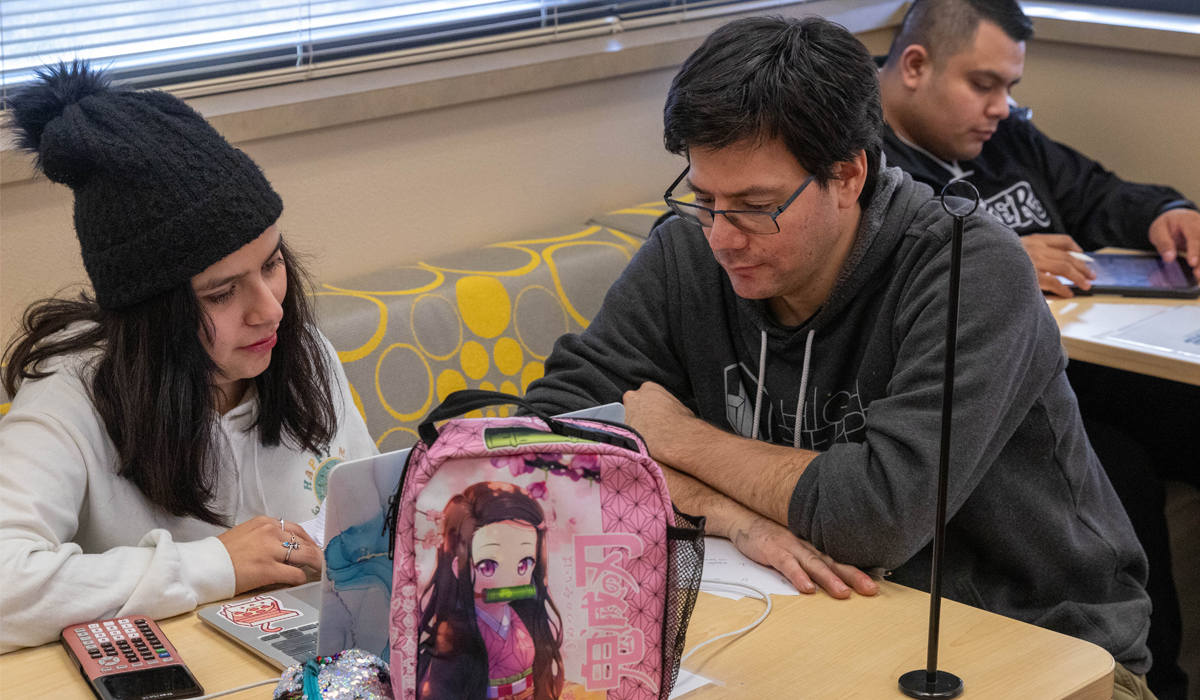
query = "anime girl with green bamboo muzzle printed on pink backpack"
{"x": 490, "y": 629}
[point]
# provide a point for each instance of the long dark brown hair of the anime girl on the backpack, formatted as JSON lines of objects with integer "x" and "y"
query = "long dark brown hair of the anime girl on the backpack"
{"x": 449, "y": 630}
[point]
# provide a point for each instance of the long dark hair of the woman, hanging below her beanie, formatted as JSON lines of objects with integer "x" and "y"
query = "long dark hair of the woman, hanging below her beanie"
{"x": 153, "y": 386}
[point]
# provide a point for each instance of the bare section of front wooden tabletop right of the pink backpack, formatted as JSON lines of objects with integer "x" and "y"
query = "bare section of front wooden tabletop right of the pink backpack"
{"x": 821, "y": 649}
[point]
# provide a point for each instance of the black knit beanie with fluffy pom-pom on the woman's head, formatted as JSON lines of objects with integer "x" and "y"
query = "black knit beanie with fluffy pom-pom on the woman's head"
{"x": 159, "y": 194}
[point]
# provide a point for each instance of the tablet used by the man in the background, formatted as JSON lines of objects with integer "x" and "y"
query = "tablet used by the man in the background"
{"x": 1141, "y": 276}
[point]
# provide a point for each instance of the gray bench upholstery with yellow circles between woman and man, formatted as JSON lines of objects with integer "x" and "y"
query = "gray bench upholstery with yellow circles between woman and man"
{"x": 485, "y": 319}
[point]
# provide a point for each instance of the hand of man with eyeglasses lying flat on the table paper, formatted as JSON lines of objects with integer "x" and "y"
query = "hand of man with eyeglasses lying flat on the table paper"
{"x": 773, "y": 546}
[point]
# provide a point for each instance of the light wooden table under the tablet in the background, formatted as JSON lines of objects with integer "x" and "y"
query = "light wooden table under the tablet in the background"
{"x": 1085, "y": 321}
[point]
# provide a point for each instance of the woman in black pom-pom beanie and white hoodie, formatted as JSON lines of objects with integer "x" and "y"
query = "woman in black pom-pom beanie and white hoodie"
{"x": 166, "y": 432}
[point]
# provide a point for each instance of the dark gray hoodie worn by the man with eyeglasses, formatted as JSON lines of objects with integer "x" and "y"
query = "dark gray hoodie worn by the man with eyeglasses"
{"x": 1036, "y": 531}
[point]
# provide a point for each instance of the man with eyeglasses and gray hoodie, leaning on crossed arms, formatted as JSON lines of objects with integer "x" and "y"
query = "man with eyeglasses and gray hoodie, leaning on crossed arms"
{"x": 779, "y": 344}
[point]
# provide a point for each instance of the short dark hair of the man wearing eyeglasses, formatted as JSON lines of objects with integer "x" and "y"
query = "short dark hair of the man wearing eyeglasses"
{"x": 806, "y": 82}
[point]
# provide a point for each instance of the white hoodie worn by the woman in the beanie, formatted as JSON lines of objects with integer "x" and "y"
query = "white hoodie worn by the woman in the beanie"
{"x": 79, "y": 543}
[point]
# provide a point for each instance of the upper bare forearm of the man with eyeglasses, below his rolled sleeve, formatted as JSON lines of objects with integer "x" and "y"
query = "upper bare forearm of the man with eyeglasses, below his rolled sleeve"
{"x": 757, "y": 475}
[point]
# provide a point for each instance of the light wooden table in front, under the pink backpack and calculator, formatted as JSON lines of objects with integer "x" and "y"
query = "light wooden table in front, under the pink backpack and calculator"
{"x": 812, "y": 647}
